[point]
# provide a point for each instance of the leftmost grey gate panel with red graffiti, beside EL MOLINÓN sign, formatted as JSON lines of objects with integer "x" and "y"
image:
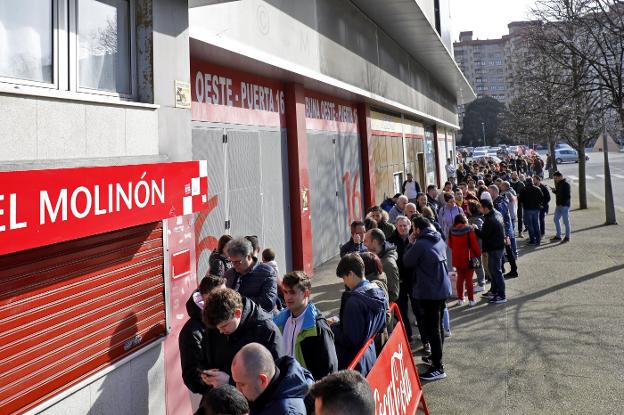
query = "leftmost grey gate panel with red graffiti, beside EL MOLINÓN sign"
{"x": 208, "y": 145}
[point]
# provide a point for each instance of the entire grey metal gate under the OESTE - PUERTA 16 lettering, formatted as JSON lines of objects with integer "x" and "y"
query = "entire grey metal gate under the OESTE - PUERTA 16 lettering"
{"x": 248, "y": 170}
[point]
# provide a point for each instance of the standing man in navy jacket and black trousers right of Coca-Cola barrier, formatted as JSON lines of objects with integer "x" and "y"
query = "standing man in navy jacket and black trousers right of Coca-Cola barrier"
{"x": 430, "y": 287}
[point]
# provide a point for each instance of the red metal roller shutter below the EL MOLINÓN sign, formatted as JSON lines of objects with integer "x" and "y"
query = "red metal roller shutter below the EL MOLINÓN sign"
{"x": 70, "y": 309}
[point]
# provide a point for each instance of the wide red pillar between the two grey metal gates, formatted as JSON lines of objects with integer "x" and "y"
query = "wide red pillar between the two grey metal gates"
{"x": 299, "y": 179}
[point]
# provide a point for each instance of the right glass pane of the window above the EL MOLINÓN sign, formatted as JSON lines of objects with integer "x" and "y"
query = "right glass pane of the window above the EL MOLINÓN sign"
{"x": 104, "y": 45}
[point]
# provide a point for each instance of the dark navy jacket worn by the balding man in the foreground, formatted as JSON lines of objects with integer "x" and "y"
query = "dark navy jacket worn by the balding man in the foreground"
{"x": 291, "y": 381}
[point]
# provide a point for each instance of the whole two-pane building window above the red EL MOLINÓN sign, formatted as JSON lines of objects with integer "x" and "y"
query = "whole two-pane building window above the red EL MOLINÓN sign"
{"x": 81, "y": 46}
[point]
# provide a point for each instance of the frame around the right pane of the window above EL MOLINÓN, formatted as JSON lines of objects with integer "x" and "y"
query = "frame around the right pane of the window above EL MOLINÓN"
{"x": 74, "y": 71}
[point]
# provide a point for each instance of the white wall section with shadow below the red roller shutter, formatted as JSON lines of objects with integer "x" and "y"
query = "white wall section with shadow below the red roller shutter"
{"x": 135, "y": 388}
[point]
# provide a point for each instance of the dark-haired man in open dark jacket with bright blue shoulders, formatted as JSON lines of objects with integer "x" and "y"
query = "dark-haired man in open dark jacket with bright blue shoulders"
{"x": 306, "y": 336}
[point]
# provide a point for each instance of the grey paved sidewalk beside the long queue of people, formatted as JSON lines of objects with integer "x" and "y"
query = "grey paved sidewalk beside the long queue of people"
{"x": 556, "y": 347}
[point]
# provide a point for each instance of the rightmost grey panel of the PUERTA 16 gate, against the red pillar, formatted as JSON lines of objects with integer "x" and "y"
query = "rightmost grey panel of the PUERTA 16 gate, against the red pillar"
{"x": 275, "y": 197}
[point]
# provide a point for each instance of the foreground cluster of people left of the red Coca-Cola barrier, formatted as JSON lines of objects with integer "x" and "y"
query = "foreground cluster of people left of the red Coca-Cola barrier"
{"x": 247, "y": 349}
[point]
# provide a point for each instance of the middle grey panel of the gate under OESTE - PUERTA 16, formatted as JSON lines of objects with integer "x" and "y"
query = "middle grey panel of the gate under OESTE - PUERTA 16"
{"x": 244, "y": 182}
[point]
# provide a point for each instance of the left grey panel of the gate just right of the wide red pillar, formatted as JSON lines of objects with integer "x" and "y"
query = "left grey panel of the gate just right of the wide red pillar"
{"x": 322, "y": 168}
